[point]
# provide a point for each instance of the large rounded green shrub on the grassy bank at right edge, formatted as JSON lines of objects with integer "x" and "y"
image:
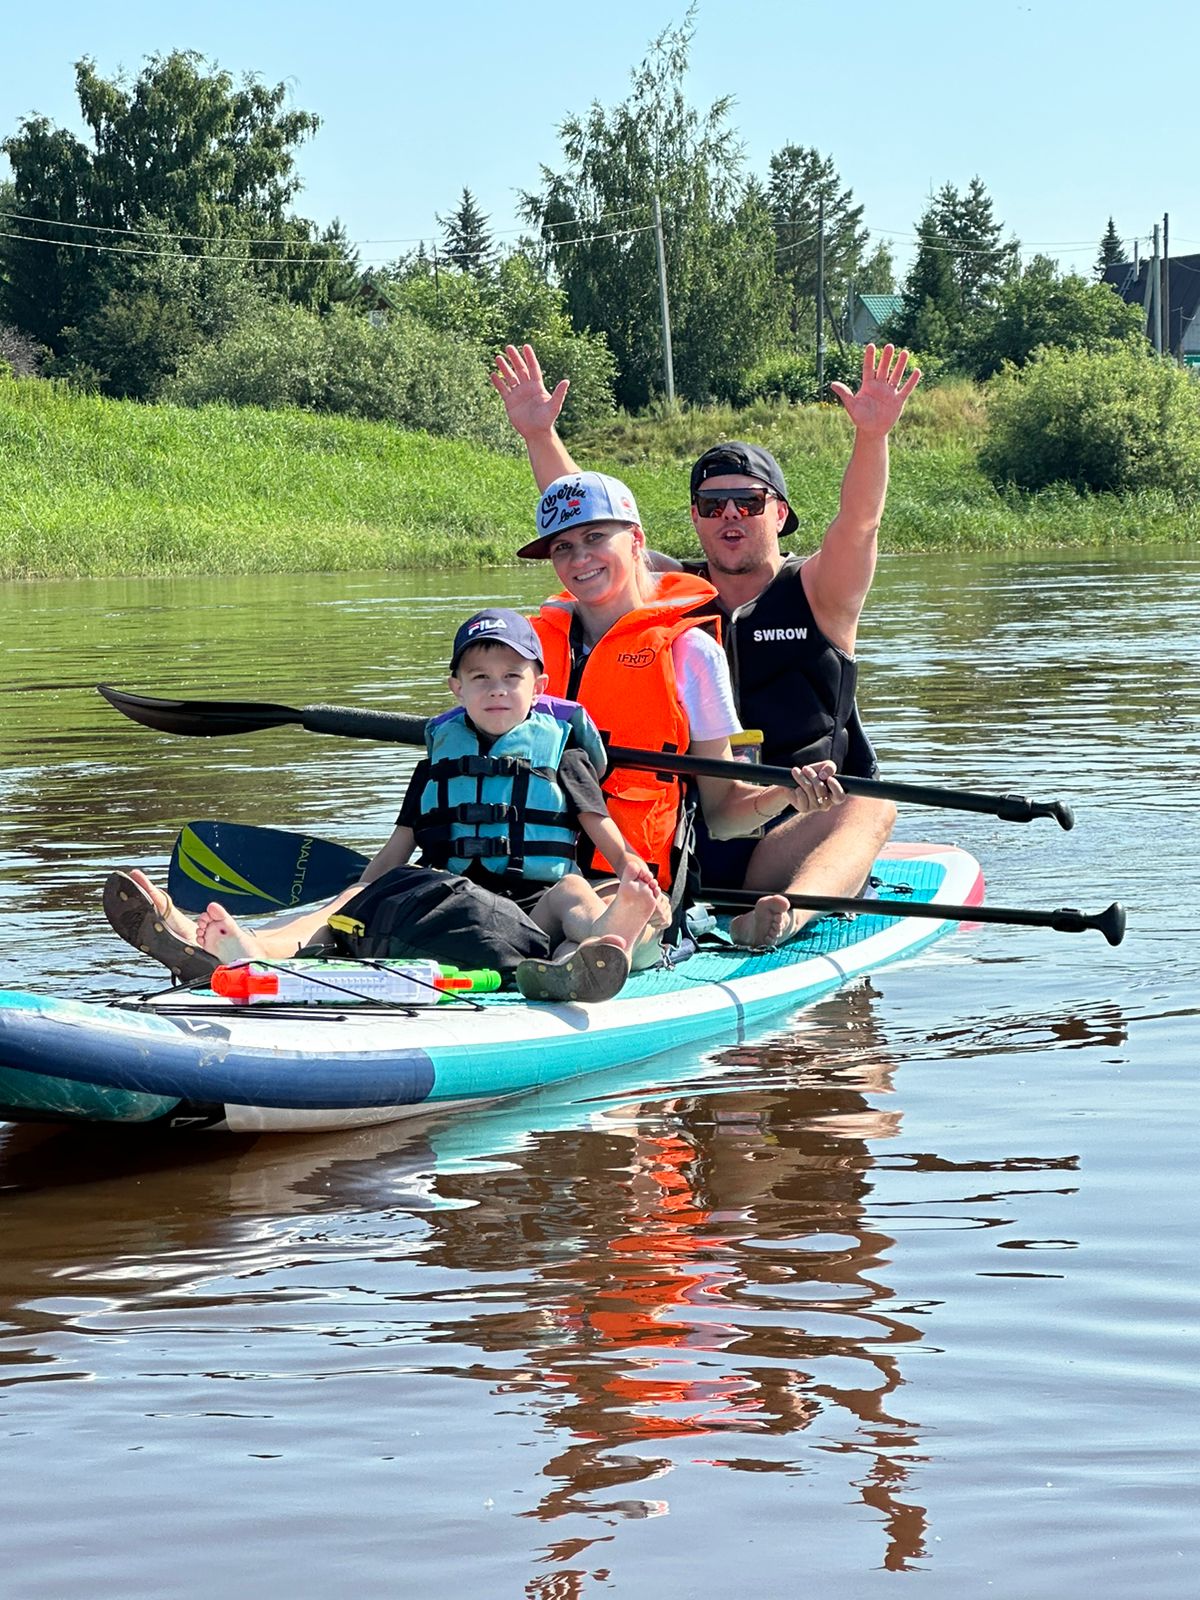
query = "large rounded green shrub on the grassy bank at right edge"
{"x": 1119, "y": 420}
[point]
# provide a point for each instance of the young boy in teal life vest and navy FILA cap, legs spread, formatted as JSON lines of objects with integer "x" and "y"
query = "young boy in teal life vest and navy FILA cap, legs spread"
{"x": 500, "y": 801}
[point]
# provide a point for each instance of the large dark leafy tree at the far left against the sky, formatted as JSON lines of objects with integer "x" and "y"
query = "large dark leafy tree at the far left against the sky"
{"x": 183, "y": 162}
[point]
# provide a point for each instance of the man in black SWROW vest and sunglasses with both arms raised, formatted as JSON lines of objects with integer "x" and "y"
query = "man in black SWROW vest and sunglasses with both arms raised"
{"x": 791, "y": 626}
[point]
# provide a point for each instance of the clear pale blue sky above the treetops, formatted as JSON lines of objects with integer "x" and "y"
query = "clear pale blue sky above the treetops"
{"x": 1070, "y": 113}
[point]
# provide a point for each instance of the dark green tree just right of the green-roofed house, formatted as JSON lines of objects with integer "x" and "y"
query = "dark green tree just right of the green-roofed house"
{"x": 959, "y": 268}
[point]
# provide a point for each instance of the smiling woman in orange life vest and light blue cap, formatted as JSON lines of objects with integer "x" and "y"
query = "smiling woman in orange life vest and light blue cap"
{"x": 639, "y": 650}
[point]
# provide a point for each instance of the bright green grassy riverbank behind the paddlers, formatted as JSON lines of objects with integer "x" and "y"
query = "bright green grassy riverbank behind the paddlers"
{"x": 97, "y": 487}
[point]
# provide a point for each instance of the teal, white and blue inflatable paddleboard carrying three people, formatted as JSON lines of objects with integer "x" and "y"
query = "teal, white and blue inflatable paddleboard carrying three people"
{"x": 186, "y": 1057}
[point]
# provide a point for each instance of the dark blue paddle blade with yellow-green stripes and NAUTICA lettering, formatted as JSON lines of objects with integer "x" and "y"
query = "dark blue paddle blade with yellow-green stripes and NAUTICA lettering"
{"x": 257, "y": 870}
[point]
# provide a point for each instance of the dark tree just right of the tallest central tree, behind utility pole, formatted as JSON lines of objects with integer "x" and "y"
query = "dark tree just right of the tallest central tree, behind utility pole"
{"x": 799, "y": 180}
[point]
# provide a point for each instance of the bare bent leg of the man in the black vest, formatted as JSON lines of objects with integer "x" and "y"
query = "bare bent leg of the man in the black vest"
{"x": 817, "y": 855}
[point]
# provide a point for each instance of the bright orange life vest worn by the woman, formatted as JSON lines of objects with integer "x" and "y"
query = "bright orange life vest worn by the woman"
{"x": 630, "y": 689}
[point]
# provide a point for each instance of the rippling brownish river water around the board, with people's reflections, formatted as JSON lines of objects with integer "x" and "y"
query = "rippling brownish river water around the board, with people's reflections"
{"x": 905, "y": 1289}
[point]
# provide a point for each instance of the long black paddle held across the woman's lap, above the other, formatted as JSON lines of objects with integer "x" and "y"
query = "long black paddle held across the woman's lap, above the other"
{"x": 215, "y": 719}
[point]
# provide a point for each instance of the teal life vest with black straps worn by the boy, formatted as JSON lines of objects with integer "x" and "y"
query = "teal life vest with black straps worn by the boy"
{"x": 503, "y": 809}
